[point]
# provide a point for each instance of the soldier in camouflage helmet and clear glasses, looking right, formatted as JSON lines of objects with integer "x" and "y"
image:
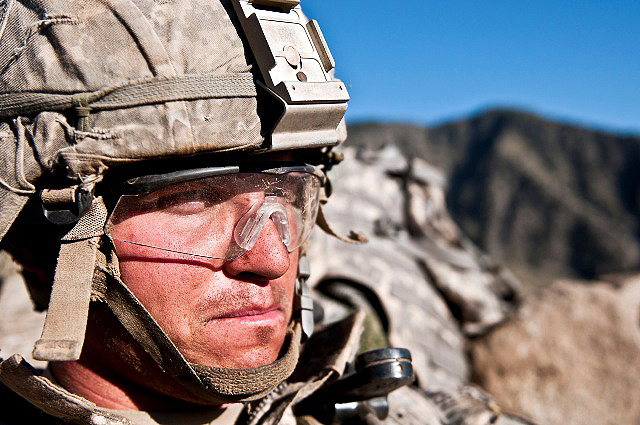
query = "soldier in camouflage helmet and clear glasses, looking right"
{"x": 163, "y": 165}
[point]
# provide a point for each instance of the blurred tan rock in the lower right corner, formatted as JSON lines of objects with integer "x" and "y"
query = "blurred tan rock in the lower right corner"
{"x": 571, "y": 355}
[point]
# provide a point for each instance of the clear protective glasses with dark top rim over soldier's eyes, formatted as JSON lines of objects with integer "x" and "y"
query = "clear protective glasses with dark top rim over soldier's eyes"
{"x": 217, "y": 212}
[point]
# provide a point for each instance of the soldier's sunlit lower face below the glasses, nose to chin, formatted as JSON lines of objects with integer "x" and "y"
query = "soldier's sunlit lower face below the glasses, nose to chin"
{"x": 232, "y": 314}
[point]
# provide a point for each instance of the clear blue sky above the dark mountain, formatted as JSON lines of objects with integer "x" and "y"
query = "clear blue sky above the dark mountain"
{"x": 425, "y": 62}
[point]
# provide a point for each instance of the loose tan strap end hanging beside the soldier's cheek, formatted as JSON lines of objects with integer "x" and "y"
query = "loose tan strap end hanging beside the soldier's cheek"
{"x": 66, "y": 321}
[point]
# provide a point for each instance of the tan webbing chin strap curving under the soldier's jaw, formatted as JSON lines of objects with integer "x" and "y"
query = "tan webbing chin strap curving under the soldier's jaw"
{"x": 216, "y": 385}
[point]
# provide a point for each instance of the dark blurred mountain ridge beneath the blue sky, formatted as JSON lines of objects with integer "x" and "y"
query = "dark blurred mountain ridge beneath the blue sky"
{"x": 545, "y": 198}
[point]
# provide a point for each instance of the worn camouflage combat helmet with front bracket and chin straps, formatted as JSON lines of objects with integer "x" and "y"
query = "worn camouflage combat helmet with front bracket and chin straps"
{"x": 89, "y": 88}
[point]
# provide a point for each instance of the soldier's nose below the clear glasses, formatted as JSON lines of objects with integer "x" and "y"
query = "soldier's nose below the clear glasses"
{"x": 268, "y": 258}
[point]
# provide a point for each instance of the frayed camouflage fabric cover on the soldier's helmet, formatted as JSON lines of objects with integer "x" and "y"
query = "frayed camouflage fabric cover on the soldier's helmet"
{"x": 153, "y": 79}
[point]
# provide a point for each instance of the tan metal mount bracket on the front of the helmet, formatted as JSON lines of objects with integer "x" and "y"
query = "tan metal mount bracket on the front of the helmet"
{"x": 297, "y": 68}
